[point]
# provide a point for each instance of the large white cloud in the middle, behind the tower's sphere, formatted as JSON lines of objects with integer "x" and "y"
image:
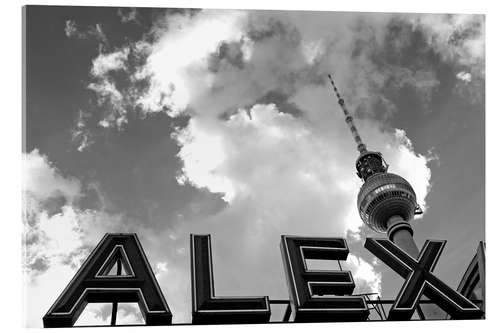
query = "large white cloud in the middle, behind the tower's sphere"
{"x": 276, "y": 161}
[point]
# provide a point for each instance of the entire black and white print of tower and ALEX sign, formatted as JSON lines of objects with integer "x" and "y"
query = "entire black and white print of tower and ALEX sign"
{"x": 202, "y": 166}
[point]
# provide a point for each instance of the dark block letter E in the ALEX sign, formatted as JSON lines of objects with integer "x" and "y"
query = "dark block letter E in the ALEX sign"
{"x": 318, "y": 295}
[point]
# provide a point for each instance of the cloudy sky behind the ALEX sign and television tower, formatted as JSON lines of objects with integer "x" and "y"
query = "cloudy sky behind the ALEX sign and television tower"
{"x": 167, "y": 122}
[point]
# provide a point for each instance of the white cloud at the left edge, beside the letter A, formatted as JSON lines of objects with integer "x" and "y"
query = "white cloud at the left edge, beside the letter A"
{"x": 58, "y": 235}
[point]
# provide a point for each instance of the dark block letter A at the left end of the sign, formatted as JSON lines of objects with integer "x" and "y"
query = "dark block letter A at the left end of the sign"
{"x": 93, "y": 284}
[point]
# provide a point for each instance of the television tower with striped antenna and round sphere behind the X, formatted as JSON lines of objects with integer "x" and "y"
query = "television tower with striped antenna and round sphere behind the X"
{"x": 386, "y": 201}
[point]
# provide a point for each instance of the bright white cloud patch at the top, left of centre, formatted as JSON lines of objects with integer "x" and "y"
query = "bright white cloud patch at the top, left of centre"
{"x": 177, "y": 62}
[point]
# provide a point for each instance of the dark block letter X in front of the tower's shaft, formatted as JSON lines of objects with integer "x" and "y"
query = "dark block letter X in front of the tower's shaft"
{"x": 420, "y": 280}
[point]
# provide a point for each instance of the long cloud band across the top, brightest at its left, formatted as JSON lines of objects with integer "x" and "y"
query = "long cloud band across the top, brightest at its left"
{"x": 247, "y": 54}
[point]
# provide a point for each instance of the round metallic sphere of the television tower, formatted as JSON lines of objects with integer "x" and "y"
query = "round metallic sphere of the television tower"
{"x": 384, "y": 195}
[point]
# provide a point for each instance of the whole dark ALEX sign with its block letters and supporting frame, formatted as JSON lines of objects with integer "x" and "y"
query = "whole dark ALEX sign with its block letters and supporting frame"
{"x": 117, "y": 271}
